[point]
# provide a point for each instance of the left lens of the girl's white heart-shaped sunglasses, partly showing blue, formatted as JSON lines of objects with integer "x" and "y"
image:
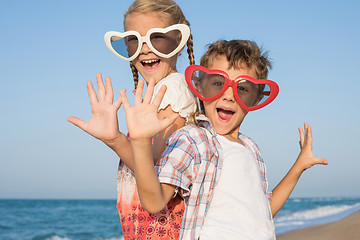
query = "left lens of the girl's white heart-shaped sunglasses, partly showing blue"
{"x": 125, "y": 47}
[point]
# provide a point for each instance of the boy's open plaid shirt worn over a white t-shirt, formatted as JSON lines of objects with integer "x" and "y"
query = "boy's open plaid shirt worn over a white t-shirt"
{"x": 192, "y": 161}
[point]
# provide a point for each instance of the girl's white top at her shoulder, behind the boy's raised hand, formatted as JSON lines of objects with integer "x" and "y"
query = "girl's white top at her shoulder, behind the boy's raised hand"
{"x": 178, "y": 95}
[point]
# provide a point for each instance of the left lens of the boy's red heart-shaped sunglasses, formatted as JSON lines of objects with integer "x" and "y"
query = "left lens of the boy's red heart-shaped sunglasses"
{"x": 207, "y": 85}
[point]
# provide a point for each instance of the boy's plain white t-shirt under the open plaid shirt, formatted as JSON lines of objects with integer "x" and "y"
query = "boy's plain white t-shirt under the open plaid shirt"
{"x": 239, "y": 208}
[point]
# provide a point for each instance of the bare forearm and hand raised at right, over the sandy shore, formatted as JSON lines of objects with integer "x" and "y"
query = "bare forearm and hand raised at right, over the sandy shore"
{"x": 304, "y": 161}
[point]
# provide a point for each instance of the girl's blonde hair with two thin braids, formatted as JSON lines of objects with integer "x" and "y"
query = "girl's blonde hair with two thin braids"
{"x": 171, "y": 10}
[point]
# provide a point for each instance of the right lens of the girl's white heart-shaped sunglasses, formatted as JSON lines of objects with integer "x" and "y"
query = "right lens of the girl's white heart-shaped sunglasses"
{"x": 166, "y": 42}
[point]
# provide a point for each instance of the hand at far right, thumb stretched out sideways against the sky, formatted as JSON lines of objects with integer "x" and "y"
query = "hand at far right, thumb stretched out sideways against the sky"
{"x": 306, "y": 158}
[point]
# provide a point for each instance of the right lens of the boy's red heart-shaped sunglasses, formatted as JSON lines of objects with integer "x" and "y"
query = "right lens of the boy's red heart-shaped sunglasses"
{"x": 252, "y": 94}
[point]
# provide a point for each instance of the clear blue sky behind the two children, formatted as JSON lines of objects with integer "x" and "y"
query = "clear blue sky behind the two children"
{"x": 49, "y": 49}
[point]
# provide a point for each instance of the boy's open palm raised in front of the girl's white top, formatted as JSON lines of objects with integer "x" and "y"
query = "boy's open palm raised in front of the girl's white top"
{"x": 142, "y": 119}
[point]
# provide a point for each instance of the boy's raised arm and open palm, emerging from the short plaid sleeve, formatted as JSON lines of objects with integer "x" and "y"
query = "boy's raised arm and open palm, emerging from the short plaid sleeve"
{"x": 143, "y": 123}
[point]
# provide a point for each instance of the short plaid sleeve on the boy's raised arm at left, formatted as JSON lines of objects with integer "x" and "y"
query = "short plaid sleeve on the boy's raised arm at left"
{"x": 174, "y": 166}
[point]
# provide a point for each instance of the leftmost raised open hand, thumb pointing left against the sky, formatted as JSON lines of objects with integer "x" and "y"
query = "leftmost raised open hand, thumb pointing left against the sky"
{"x": 103, "y": 124}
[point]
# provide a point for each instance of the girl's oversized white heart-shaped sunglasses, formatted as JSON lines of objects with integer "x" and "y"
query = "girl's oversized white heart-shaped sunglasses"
{"x": 164, "y": 42}
